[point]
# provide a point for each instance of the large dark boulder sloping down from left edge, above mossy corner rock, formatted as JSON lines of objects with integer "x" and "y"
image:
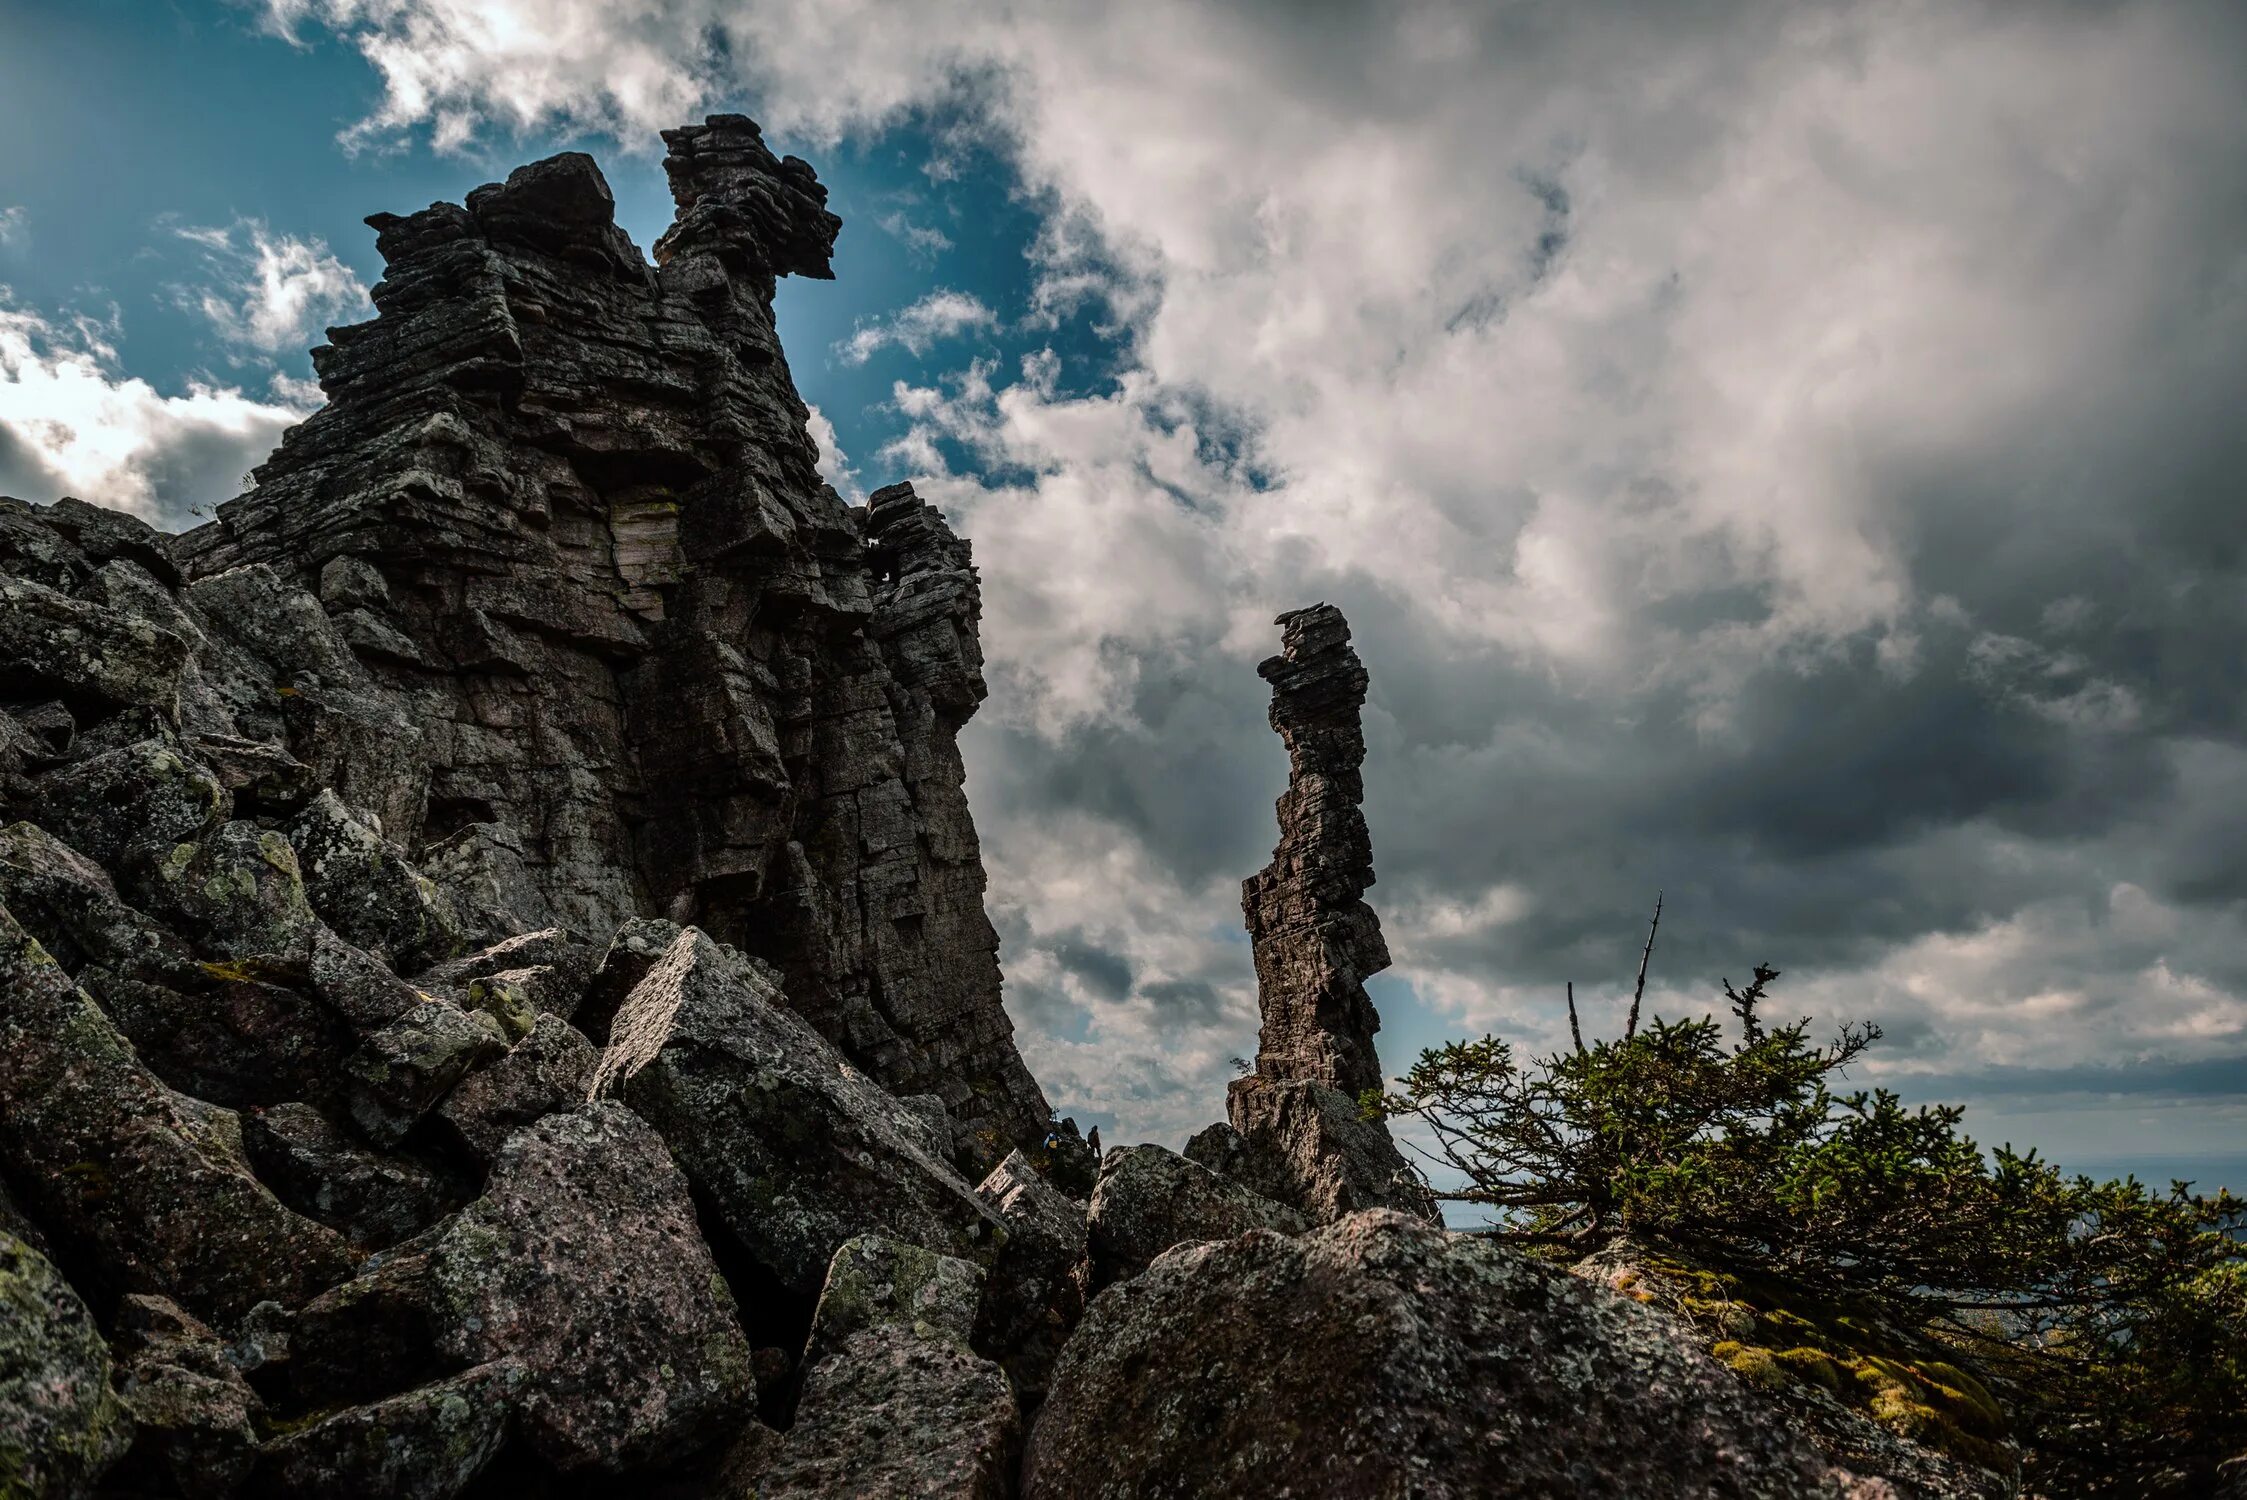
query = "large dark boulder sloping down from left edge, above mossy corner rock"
{"x": 129, "y": 1173}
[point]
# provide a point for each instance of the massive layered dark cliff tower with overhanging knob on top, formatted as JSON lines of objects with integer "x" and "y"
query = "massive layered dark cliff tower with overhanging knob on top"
{"x": 630, "y": 655}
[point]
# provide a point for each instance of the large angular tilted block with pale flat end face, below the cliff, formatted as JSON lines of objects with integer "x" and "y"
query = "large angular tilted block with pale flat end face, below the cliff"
{"x": 792, "y": 1146}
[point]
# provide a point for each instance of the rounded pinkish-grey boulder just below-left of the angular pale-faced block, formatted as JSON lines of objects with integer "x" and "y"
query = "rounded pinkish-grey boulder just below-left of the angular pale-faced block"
{"x": 583, "y": 1263}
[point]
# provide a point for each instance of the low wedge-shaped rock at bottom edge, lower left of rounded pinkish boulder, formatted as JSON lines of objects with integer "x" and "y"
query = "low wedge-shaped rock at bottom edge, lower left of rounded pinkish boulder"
{"x": 424, "y": 1445}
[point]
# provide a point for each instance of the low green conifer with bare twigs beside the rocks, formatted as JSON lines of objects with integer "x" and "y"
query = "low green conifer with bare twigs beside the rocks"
{"x": 2109, "y": 1315}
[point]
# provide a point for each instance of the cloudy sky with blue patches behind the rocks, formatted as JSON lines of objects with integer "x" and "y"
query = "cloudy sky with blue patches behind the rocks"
{"x": 1787, "y": 457}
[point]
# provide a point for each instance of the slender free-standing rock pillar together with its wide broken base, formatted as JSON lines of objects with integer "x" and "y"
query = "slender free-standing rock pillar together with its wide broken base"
{"x": 1302, "y": 1133}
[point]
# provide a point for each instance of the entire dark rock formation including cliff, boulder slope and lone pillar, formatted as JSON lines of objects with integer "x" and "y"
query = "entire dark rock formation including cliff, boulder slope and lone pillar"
{"x": 495, "y": 996}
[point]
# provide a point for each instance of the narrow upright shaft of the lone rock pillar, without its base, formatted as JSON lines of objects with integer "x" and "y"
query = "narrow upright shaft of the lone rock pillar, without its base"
{"x": 1316, "y": 937}
